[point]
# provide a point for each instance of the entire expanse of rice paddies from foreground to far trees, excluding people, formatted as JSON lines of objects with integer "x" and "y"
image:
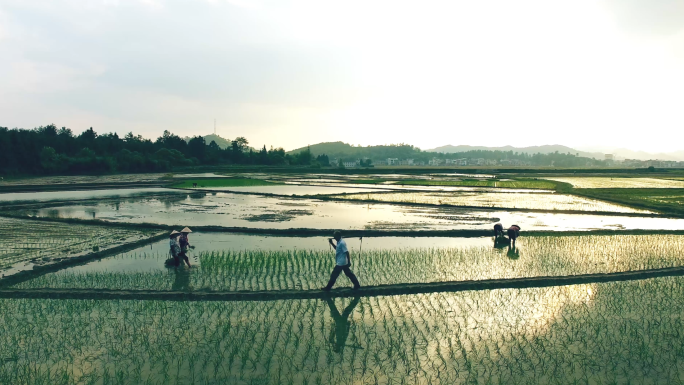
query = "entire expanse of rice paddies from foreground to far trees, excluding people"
{"x": 125, "y": 316}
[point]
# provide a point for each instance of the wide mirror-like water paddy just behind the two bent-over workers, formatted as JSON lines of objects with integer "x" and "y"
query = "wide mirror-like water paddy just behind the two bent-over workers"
{"x": 267, "y": 212}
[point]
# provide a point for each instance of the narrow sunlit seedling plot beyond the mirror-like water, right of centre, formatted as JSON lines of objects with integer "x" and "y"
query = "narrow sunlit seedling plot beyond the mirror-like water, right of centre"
{"x": 515, "y": 201}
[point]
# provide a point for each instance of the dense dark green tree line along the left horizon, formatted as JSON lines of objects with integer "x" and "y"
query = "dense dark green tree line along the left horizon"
{"x": 52, "y": 150}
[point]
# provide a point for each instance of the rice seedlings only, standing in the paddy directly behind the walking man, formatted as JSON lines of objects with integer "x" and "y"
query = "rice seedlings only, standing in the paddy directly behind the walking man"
{"x": 310, "y": 269}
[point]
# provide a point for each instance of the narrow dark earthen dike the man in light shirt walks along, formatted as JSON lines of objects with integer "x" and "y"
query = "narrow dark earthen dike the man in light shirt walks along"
{"x": 368, "y": 291}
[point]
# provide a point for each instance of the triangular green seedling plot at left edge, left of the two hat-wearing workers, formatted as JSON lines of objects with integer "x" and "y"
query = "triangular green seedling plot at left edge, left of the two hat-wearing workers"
{"x": 26, "y": 240}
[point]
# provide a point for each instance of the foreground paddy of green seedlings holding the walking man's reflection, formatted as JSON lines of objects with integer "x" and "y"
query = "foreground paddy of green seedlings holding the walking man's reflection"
{"x": 623, "y": 332}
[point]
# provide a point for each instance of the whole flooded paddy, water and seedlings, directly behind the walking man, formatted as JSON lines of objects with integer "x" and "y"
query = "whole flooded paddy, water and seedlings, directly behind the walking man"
{"x": 286, "y": 264}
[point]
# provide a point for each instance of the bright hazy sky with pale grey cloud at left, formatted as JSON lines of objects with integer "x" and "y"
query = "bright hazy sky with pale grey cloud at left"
{"x": 292, "y": 73}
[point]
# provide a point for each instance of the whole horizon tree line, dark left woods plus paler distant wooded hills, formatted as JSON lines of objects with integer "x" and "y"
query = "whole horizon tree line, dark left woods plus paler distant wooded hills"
{"x": 52, "y": 150}
